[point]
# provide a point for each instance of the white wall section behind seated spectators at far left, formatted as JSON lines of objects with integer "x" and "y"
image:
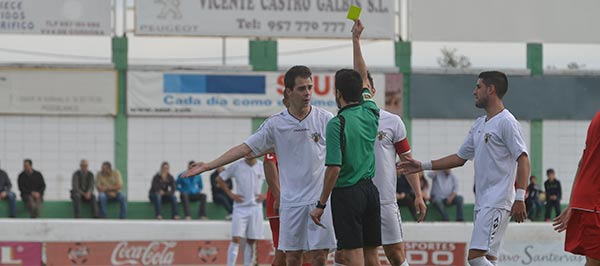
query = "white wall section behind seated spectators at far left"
{"x": 55, "y": 145}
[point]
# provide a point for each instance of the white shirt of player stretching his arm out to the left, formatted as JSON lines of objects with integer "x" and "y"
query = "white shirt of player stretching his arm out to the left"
{"x": 300, "y": 149}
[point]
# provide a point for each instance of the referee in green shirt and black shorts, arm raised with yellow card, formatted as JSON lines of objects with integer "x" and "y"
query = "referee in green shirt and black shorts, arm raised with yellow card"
{"x": 350, "y": 162}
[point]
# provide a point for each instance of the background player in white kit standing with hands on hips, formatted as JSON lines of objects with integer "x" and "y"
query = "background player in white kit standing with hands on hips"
{"x": 247, "y": 207}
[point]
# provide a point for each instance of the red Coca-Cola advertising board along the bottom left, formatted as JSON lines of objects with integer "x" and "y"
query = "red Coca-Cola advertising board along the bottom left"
{"x": 148, "y": 253}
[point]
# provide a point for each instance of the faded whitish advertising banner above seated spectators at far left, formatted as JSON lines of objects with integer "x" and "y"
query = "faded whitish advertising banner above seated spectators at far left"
{"x": 76, "y": 92}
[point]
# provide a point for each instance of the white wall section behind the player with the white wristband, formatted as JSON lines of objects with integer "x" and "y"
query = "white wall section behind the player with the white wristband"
{"x": 436, "y": 138}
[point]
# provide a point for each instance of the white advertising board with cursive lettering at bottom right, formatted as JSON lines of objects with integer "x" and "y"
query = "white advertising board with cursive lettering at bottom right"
{"x": 520, "y": 253}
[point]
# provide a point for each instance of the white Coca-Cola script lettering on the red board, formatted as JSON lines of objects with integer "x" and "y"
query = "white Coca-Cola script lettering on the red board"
{"x": 154, "y": 253}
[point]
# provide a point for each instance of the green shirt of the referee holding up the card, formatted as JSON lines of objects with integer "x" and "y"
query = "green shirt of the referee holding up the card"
{"x": 350, "y": 141}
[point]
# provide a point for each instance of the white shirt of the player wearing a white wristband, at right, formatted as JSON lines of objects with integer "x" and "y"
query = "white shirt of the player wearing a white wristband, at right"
{"x": 494, "y": 146}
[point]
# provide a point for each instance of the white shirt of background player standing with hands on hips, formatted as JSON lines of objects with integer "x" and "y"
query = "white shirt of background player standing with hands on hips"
{"x": 249, "y": 180}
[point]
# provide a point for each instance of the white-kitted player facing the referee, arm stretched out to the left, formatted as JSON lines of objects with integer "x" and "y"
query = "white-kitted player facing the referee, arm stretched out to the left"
{"x": 298, "y": 136}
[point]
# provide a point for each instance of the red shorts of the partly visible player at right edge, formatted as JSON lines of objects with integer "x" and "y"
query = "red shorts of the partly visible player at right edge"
{"x": 583, "y": 233}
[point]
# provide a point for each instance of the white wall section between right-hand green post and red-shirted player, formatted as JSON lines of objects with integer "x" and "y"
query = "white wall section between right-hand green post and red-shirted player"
{"x": 563, "y": 146}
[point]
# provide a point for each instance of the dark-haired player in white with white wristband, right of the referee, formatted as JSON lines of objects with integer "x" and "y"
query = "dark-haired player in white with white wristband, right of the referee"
{"x": 495, "y": 144}
